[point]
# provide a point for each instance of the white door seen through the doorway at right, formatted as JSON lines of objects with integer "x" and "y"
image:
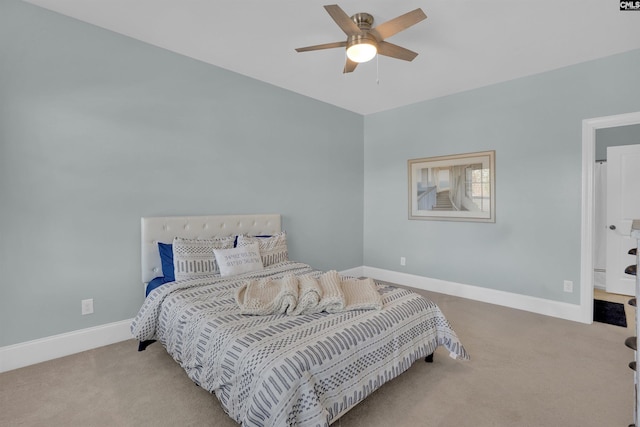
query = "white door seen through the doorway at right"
{"x": 623, "y": 206}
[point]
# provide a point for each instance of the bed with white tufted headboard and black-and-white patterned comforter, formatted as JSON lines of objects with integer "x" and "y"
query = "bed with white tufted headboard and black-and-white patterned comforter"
{"x": 278, "y": 369}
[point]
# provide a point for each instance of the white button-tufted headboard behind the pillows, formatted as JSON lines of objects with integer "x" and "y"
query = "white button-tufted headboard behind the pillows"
{"x": 163, "y": 229}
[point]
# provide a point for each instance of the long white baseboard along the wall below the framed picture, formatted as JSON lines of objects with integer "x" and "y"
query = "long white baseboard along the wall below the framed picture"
{"x": 547, "y": 307}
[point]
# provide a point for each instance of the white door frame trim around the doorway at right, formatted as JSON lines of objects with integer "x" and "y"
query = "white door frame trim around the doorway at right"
{"x": 589, "y": 127}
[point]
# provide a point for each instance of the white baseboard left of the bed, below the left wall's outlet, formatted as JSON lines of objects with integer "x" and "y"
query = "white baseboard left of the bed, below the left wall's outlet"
{"x": 40, "y": 350}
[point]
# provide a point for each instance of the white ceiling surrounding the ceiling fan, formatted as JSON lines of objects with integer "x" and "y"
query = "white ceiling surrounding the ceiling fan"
{"x": 463, "y": 44}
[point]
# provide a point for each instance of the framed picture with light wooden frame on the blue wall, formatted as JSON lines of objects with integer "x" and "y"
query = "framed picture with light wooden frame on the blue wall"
{"x": 459, "y": 187}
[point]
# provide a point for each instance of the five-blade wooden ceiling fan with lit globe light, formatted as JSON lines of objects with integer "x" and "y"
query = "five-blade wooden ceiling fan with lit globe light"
{"x": 364, "y": 42}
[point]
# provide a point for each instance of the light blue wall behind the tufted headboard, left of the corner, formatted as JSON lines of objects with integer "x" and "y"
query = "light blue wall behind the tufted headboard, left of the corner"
{"x": 97, "y": 130}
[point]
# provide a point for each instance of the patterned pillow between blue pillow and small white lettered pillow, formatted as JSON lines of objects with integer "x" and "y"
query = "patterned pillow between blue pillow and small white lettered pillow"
{"x": 194, "y": 257}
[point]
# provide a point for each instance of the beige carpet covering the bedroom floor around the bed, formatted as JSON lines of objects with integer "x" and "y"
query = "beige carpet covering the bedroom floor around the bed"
{"x": 526, "y": 370}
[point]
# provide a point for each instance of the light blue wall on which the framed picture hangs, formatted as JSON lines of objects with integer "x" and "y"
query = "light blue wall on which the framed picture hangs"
{"x": 534, "y": 124}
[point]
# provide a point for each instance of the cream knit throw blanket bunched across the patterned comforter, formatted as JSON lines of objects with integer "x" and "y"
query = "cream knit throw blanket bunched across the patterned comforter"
{"x": 295, "y": 295}
